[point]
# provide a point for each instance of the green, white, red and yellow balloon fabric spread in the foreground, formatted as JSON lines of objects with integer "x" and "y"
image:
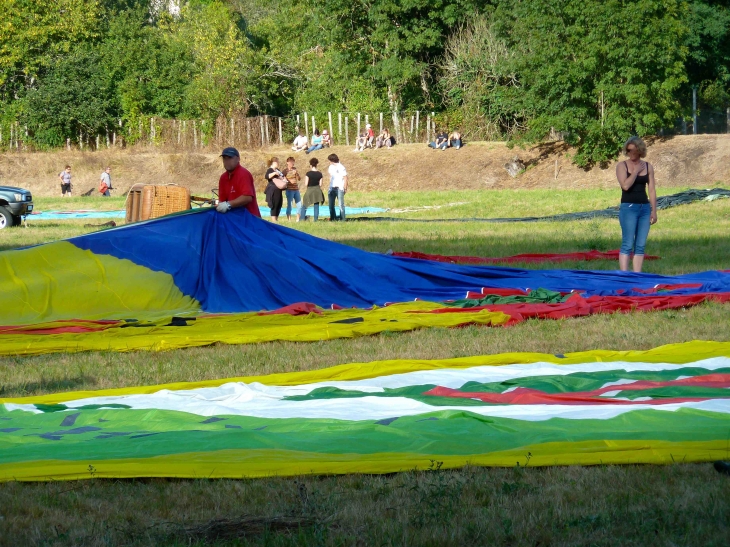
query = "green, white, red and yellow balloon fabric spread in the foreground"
{"x": 669, "y": 404}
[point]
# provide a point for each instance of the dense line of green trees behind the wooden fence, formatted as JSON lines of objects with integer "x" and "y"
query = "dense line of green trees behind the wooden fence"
{"x": 592, "y": 71}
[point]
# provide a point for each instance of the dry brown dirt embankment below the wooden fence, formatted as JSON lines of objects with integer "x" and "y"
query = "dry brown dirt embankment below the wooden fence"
{"x": 685, "y": 161}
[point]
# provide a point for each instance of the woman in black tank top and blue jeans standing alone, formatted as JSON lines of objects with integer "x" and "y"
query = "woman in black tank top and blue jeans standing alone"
{"x": 638, "y": 210}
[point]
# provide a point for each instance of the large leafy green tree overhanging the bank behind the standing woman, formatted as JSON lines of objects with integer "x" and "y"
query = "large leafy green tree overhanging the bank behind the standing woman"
{"x": 598, "y": 70}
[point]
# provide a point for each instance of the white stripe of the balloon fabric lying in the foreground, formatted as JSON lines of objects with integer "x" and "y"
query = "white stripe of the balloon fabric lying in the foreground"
{"x": 259, "y": 400}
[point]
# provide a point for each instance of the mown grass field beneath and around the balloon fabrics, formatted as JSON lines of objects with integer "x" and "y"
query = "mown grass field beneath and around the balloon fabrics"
{"x": 606, "y": 505}
